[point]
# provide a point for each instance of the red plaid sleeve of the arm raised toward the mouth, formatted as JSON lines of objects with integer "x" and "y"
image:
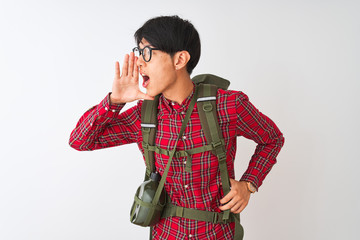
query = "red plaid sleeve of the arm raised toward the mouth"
{"x": 103, "y": 126}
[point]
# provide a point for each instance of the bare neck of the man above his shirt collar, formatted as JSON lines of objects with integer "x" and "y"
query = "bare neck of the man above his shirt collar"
{"x": 180, "y": 90}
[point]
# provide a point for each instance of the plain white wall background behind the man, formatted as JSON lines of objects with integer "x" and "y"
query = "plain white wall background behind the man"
{"x": 298, "y": 61}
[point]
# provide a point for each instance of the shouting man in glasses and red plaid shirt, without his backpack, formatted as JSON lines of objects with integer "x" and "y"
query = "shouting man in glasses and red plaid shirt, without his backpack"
{"x": 168, "y": 50}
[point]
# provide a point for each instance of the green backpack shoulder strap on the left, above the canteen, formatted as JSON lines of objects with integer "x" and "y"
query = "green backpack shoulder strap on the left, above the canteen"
{"x": 148, "y": 130}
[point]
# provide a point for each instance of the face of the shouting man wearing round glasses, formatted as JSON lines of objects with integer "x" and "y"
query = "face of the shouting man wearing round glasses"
{"x": 159, "y": 73}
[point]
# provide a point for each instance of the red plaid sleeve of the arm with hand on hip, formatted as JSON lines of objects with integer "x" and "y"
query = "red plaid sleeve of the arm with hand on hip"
{"x": 254, "y": 125}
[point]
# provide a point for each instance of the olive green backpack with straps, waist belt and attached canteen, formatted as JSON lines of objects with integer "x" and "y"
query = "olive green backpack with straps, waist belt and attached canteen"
{"x": 205, "y": 96}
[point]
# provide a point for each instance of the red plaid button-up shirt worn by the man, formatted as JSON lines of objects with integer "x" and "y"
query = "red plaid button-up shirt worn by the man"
{"x": 104, "y": 126}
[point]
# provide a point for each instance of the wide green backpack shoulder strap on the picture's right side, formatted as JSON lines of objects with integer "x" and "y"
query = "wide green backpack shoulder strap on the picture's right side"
{"x": 209, "y": 122}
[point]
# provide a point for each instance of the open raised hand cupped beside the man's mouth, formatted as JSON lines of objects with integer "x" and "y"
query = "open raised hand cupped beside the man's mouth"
{"x": 126, "y": 86}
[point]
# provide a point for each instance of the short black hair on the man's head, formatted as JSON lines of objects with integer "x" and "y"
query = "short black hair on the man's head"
{"x": 171, "y": 34}
